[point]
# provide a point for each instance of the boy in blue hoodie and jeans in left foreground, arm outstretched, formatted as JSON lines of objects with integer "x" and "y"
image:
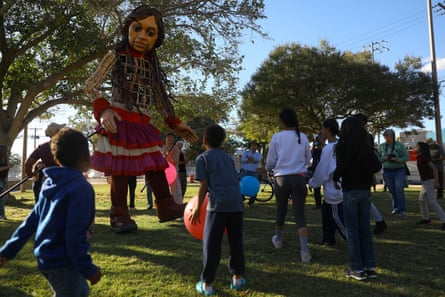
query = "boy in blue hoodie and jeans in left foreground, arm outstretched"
{"x": 62, "y": 220}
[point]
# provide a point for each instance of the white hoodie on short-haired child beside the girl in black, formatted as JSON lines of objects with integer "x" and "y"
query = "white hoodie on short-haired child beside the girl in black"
{"x": 324, "y": 173}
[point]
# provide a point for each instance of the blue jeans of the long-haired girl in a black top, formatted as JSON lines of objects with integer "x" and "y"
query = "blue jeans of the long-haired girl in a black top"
{"x": 356, "y": 212}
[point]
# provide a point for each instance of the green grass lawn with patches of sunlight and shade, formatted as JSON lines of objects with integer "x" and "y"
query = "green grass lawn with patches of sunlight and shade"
{"x": 164, "y": 260}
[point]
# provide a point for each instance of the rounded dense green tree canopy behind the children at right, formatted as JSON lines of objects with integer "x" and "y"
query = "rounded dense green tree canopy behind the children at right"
{"x": 321, "y": 83}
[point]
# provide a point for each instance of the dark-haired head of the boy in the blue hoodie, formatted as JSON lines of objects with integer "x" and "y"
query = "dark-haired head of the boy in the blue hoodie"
{"x": 69, "y": 147}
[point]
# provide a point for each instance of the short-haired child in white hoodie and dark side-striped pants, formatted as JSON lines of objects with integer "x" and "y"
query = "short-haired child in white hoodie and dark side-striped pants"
{"x": 332, "y": 208}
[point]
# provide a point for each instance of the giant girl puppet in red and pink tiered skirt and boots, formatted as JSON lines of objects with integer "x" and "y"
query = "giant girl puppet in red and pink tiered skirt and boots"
{"x": 128, "y": 143}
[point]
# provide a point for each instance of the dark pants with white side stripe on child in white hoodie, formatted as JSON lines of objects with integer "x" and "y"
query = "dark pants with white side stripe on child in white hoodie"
{"x": 332, "y": 220}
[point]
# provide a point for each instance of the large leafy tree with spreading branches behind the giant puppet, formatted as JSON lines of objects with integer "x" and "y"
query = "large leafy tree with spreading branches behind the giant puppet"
{"x": 48, "y": 49}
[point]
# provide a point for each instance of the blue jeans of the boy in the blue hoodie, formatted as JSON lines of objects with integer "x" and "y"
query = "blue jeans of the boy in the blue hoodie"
{"x": 67, "y": 282}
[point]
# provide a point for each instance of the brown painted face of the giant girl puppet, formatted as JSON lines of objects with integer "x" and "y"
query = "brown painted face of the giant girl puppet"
{"x": 142, "y": 34}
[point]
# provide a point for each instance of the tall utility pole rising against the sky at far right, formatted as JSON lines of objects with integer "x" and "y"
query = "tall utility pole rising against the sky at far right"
{"x": 434, "y": 74}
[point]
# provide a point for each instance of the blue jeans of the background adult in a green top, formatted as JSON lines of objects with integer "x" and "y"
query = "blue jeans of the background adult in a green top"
{"x": 395, "y": 180}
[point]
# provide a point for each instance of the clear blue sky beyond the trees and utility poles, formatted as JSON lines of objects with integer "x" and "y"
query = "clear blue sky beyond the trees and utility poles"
{"x": 399, "y": 26}
